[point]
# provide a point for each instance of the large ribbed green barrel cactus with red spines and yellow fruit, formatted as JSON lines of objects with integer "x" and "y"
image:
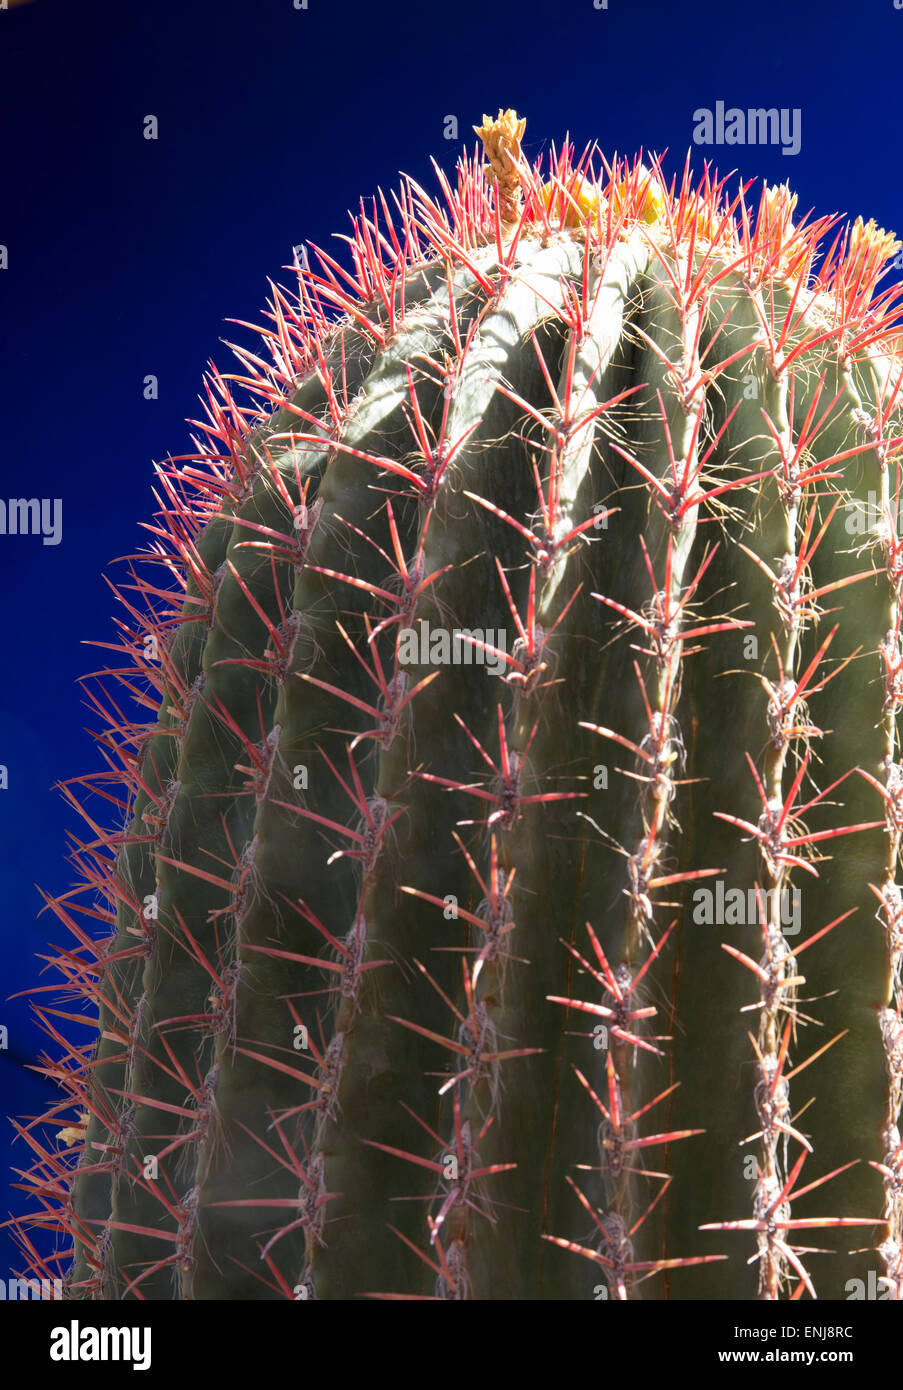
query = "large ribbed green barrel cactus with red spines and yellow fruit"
{"x": 524, "y": 664}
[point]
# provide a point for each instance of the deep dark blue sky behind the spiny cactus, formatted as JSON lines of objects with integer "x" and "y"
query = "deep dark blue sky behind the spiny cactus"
{"x": 126, "y": 258}
